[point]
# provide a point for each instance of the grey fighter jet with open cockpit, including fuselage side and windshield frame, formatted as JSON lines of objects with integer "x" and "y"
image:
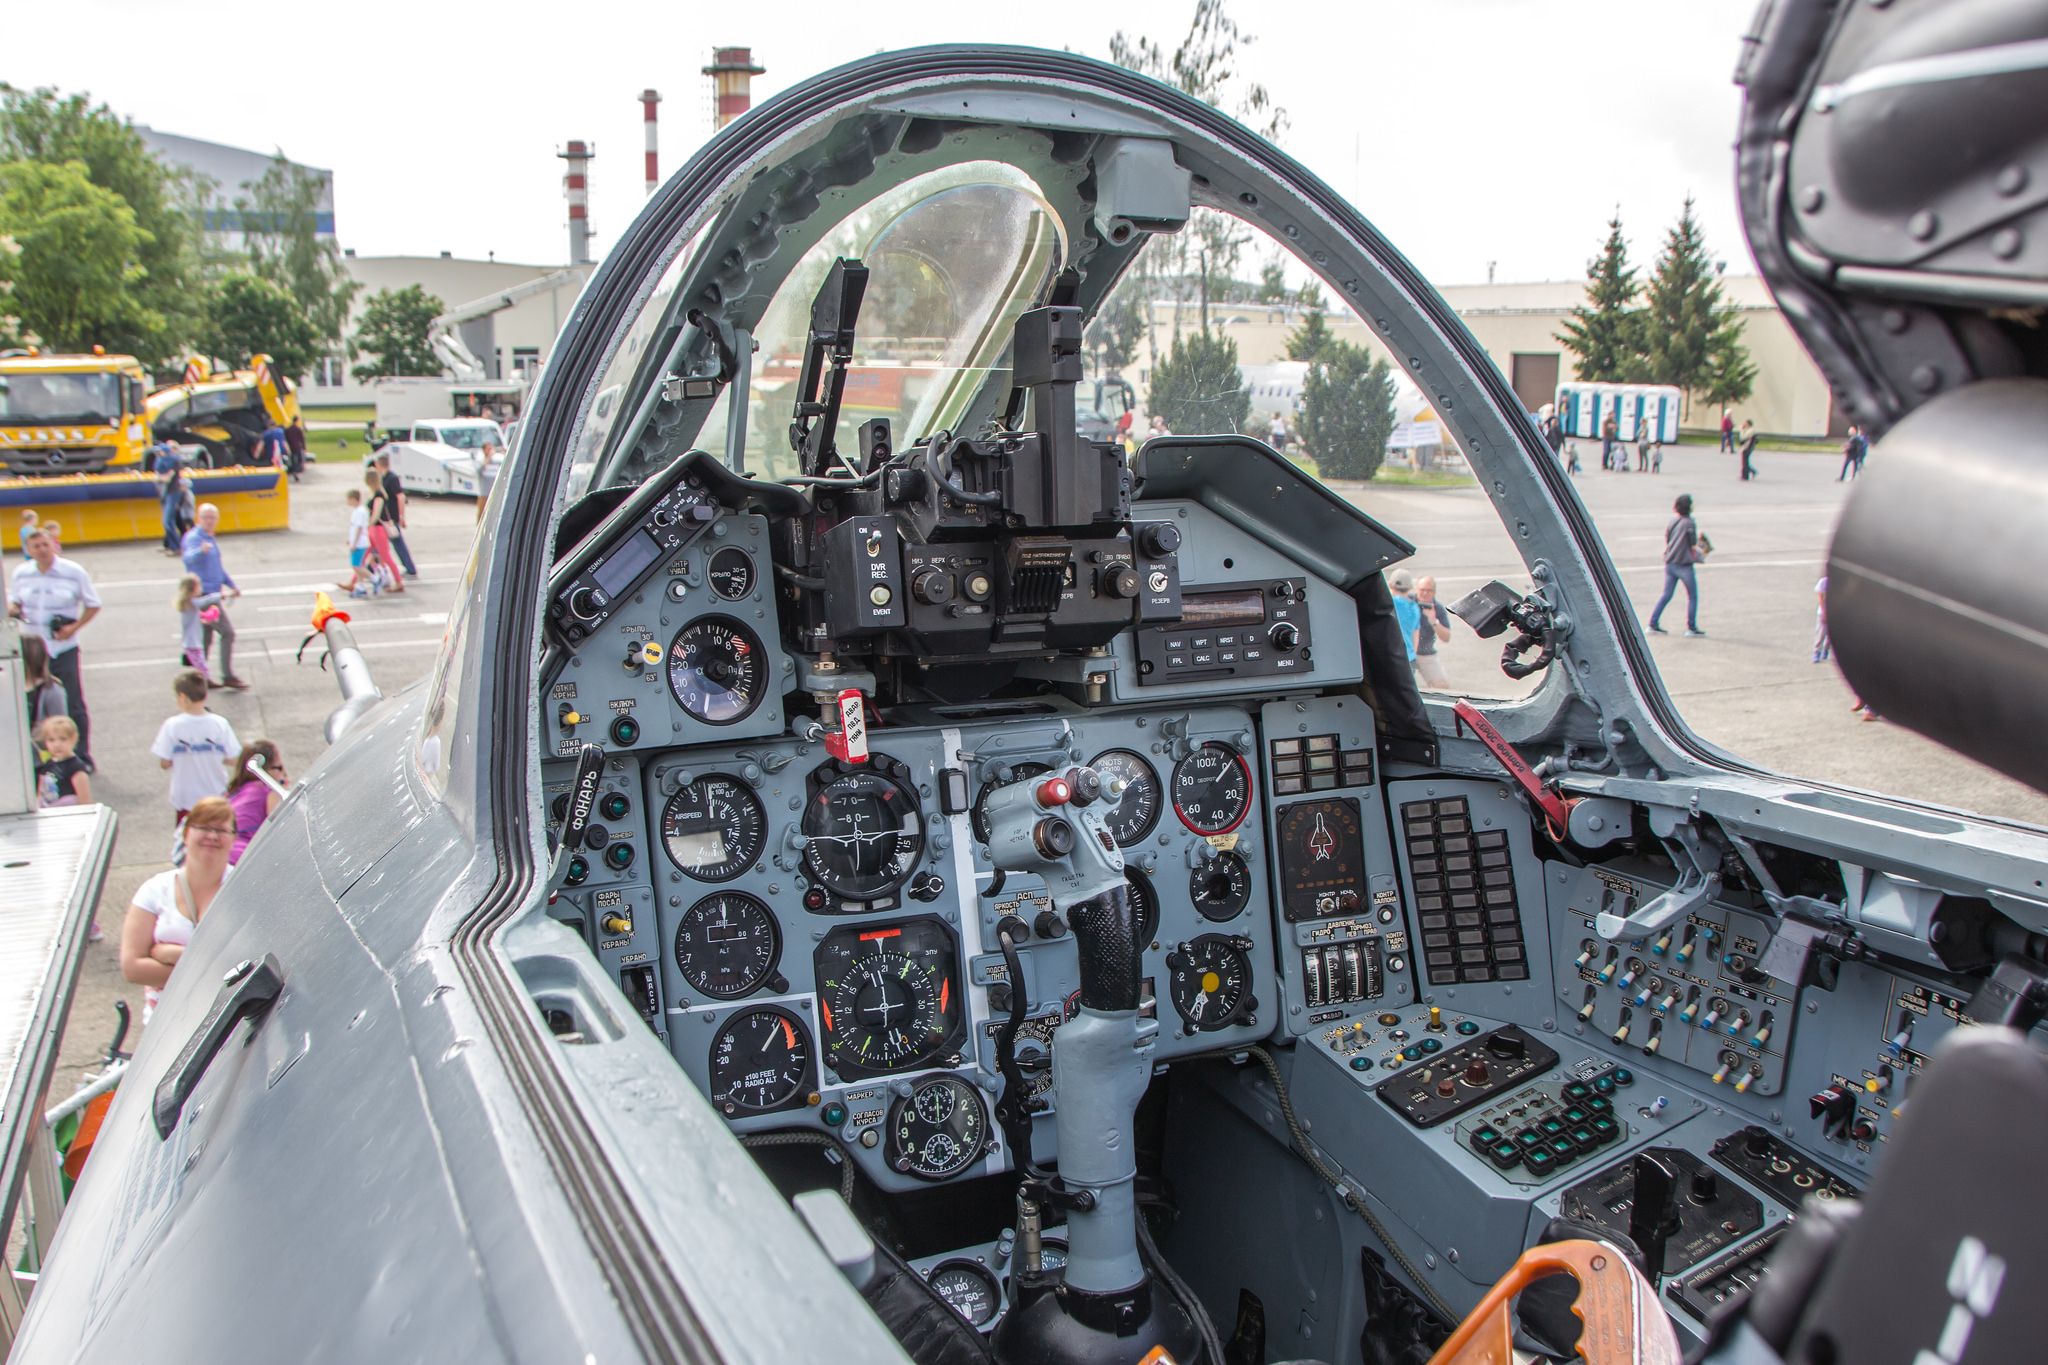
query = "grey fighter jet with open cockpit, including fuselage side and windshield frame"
{"x": 904, "y": 863}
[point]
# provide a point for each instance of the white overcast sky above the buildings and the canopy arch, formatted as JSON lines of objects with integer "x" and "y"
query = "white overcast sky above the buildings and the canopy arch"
{"x": 1469, "y": 132}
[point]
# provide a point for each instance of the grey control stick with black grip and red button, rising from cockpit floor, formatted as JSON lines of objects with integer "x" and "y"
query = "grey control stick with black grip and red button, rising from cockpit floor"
{"x": 1105, "y": 1309}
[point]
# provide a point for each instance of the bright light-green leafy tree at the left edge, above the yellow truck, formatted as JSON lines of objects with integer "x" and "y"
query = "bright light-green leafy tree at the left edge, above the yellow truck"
{"x": 79, "y": 255}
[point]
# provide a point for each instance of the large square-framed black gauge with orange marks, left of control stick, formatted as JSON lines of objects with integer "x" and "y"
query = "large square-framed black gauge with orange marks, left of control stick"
{"x": 886, "y": 998}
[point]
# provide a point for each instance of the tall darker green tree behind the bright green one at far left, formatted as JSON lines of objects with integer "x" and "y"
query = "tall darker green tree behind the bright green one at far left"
{"x": 163, "y": 298}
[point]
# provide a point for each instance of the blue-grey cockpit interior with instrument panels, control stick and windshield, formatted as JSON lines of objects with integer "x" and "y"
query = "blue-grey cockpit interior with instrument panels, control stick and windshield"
{"x": 1041, "y": 842}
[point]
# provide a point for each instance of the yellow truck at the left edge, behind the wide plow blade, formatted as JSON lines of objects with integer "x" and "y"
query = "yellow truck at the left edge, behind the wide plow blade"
{"x": 73, "y": 414}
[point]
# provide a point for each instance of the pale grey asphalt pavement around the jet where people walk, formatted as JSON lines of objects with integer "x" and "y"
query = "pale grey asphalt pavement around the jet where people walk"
{"x": 1748, "y": 687}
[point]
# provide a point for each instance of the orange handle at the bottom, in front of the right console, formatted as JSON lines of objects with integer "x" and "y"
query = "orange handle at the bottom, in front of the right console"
{"x": 1619, "y": 1309}
